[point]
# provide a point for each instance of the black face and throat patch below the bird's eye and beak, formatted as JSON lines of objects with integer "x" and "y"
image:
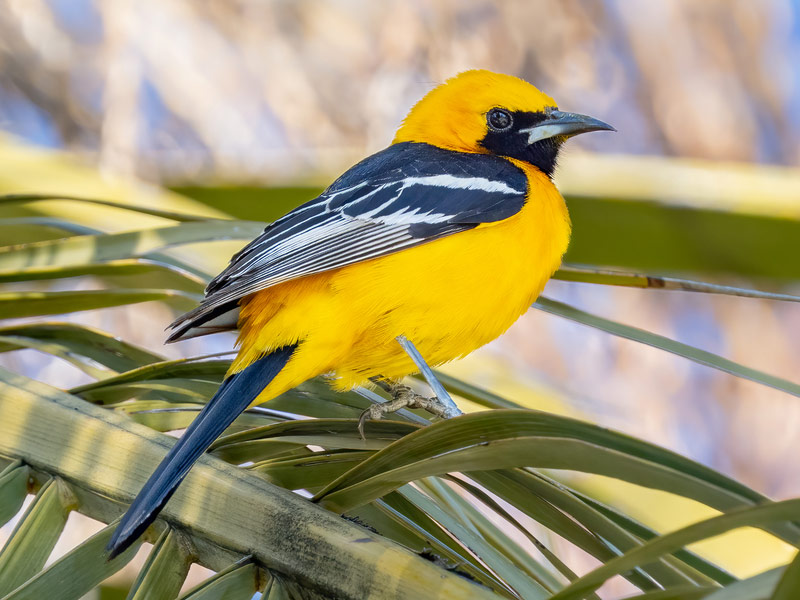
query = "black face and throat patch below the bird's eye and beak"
{"x": 542, "y": 154}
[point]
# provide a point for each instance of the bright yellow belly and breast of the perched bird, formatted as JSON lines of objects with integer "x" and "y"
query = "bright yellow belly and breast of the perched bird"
{"x": 449, "y": 297}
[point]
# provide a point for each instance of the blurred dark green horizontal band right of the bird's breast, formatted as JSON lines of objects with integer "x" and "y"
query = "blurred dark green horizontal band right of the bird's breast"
{"x": 639, "y": 234}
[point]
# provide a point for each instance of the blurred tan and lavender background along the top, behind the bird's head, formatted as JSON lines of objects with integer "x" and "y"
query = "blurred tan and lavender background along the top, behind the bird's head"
{"x": 177, "y": 90}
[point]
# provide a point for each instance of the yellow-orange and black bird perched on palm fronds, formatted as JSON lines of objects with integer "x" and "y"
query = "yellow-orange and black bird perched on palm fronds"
{"x": 416, "y": 256}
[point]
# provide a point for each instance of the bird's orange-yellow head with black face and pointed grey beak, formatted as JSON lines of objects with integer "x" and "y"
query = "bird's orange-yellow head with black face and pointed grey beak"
{"x": 481, "y": 111}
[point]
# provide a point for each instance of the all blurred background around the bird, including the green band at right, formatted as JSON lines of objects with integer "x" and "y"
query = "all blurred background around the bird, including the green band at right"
{"x": 222, "y": 100}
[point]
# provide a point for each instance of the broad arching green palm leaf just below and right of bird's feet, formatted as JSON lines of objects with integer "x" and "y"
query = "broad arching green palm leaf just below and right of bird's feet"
{"x": 510, "y": 438}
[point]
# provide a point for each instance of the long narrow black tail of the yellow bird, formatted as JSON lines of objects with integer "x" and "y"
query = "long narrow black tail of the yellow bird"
{"x": 233, "y": 396}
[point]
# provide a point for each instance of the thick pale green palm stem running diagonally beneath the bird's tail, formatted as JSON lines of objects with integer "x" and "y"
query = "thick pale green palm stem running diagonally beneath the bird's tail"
{"x": 226, "y": 511}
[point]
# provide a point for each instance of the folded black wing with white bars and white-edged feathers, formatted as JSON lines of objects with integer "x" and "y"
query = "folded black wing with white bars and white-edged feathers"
{"x": 406, "y": 195}
